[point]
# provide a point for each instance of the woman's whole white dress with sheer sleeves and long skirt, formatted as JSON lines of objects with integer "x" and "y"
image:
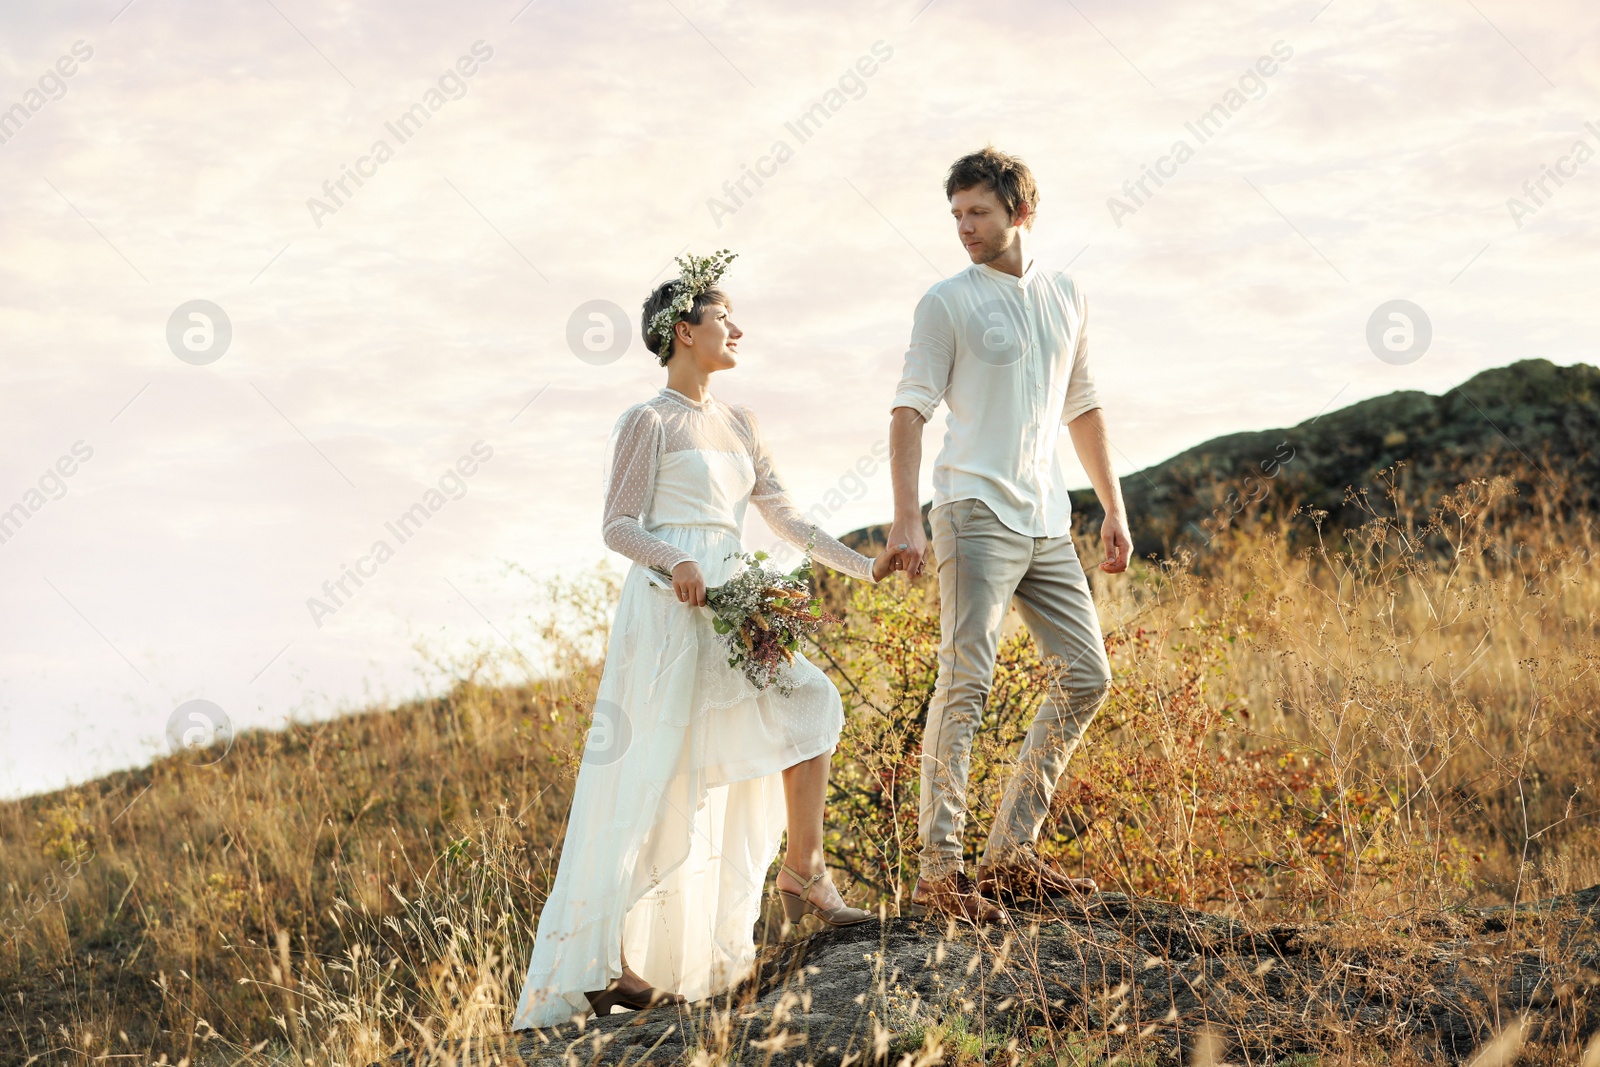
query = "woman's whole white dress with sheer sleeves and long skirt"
{"x": 679, "y": 805}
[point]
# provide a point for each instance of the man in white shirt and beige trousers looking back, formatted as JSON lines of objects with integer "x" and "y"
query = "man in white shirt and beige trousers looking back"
{"x": 1004, "y": 346}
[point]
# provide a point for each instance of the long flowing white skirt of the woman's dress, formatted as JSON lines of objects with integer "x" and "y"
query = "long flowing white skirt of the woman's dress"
{"x": 679, "y": 807}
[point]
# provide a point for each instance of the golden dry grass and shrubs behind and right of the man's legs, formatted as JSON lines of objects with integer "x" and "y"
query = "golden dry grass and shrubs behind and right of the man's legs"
{"x": 1401, "y": 724}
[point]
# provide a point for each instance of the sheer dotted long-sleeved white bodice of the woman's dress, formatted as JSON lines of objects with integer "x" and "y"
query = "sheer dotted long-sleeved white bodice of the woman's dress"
{"x": 684, "y": 463}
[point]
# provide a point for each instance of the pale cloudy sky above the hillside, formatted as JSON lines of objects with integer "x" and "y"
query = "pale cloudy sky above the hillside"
{"x": 223, "y": 377}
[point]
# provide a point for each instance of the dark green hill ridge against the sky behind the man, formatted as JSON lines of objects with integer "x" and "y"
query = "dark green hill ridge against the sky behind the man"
{"x": 1530, "y": 420}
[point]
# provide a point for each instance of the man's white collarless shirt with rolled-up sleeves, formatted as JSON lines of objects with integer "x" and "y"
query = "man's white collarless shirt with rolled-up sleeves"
{"x": 1010, "y": 359}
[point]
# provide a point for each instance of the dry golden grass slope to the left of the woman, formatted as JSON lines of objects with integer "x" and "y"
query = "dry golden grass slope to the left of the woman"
{"x": 308, "y": 890}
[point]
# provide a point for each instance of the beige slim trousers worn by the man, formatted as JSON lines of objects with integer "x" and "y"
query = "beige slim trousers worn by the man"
{"x": 983, "y": 565}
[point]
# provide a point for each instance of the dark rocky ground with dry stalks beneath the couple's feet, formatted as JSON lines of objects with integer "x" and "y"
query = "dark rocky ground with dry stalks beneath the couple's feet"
{"x": 1121, "y": 975}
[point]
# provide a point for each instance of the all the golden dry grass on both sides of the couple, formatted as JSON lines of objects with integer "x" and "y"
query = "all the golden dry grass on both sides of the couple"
{"x": 1372, "y": 730}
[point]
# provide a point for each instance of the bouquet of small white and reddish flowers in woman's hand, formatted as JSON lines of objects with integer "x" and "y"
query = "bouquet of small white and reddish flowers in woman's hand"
{"x": 762, "y": 613}
